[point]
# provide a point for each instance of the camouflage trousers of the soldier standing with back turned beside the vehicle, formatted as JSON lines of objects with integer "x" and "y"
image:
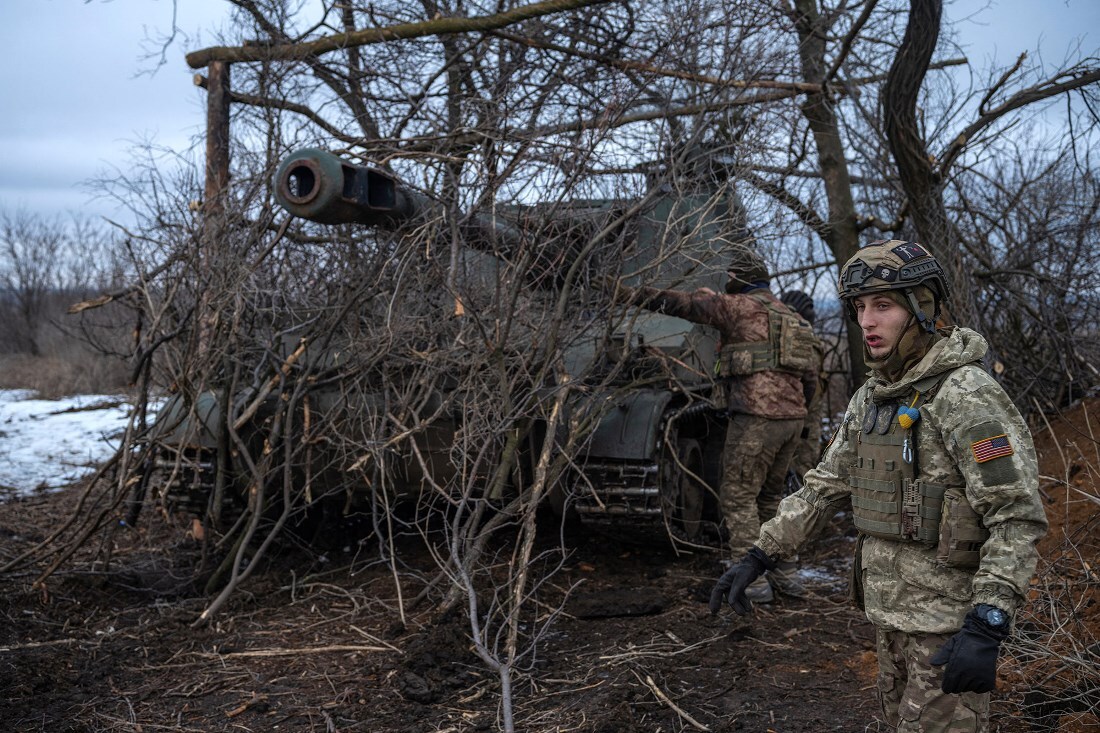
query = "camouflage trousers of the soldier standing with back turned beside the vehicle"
{"x": 754, "y": 475}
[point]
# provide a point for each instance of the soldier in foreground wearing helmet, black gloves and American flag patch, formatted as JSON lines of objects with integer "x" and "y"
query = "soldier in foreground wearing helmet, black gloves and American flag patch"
{"x": 943, "y": 479}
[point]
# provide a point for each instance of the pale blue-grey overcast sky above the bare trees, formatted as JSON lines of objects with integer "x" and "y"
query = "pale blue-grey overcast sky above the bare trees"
{"x": 79, "y": 92}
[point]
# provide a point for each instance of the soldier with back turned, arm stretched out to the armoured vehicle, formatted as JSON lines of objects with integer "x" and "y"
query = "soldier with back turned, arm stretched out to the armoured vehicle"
{"x": 766, "y": 386}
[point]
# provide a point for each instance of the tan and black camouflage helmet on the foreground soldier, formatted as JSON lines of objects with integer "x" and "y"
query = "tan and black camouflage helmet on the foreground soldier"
{"x": 895, "y": 266}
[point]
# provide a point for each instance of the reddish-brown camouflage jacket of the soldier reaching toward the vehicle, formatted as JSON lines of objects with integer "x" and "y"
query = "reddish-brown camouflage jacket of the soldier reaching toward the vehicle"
{"x": 738, "y": 319}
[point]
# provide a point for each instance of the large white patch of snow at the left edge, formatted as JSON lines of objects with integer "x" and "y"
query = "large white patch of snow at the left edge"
{"x": 49, "y": 444}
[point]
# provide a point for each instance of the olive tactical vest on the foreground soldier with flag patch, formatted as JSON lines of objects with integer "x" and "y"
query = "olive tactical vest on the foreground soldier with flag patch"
{"x": 892, "y": 502}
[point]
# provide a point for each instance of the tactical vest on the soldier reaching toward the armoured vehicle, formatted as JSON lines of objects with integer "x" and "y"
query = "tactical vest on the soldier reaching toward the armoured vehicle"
{"x": 789, "y": 348}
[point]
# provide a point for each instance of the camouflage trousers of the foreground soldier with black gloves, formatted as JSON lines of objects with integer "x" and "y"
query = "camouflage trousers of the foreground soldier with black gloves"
{"x": 909, "y": 688}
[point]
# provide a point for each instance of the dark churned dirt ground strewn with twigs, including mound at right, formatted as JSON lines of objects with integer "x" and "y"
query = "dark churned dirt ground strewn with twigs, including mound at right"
{"x": 314, "y": 641}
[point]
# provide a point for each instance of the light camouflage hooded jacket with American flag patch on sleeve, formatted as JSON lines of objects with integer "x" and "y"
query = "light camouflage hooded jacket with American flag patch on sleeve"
{"x": 905, "y": 587}
